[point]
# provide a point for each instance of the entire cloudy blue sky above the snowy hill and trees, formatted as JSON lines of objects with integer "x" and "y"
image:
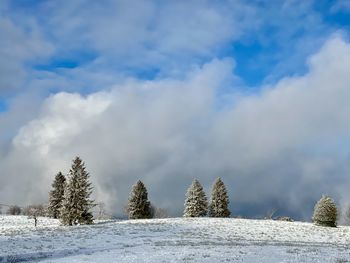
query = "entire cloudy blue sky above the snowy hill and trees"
{"x": 255, "y": 92}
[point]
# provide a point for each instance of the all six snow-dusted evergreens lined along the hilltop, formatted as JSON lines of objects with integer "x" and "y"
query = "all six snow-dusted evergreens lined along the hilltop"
{"x": 69, "y": 200}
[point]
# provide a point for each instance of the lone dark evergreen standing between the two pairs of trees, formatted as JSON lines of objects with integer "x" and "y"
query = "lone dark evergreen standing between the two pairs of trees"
{"x": 138, "y": 206}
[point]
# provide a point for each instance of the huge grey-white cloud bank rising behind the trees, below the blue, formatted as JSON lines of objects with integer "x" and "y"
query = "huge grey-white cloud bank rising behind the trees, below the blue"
{"x": 280, "y": 148}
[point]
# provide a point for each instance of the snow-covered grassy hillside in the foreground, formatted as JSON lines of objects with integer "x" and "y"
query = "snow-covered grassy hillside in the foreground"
{"x": 172, "y": 240}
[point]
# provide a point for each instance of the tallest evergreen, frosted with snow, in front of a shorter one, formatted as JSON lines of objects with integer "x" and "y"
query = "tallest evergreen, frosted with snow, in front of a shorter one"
{"x": 77, "y": 203}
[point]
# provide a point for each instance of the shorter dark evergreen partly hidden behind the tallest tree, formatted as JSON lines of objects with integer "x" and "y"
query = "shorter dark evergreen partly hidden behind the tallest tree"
{"x": 56, "y": 195}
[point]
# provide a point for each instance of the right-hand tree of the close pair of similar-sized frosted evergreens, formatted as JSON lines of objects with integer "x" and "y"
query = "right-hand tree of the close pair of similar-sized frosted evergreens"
{"x": 218, "y": 206}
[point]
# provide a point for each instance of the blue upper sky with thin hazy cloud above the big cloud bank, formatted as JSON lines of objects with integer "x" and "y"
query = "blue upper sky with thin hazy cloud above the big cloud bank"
{"x": 267, "y": 40}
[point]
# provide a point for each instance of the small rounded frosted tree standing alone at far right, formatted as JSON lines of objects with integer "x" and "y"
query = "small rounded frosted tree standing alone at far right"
{"x": 325, "y": 212}
